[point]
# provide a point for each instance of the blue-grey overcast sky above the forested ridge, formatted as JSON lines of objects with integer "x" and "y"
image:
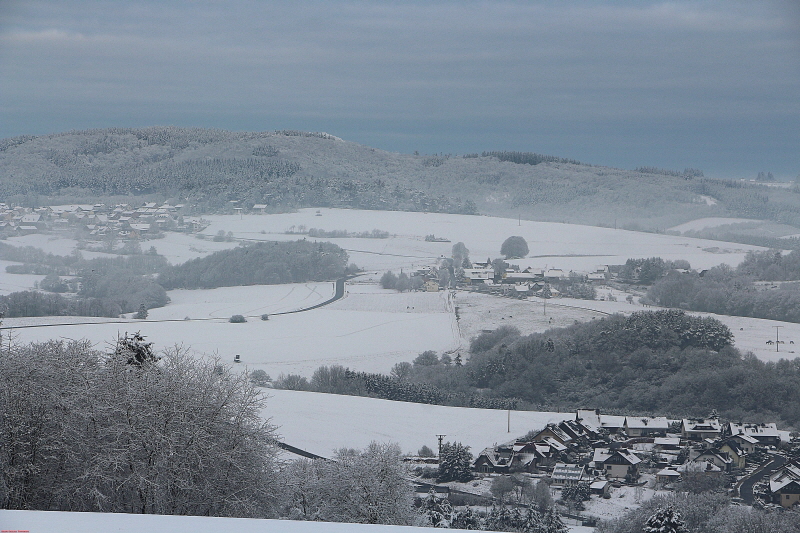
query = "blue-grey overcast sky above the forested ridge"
{"x": 704, "y": 84}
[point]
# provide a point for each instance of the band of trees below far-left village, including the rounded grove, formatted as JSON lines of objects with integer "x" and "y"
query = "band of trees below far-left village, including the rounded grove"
{"x": 109, "y": 287}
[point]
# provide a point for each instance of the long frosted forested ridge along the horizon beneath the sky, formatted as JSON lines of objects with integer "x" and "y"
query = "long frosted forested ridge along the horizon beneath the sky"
{"x": 288, "y": 169}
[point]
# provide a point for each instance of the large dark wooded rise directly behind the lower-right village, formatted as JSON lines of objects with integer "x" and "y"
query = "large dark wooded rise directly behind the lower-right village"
{"x": 663, "y": 361}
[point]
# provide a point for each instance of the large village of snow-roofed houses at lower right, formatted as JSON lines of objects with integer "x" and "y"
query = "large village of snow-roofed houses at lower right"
{"x": 597, "y": 449}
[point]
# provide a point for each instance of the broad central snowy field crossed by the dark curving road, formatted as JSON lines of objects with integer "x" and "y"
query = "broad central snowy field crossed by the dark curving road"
{"x": 370, "y": 335}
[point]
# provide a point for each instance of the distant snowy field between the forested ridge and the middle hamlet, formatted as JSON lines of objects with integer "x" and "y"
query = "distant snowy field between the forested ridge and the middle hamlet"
{"x": 565, "y": 246}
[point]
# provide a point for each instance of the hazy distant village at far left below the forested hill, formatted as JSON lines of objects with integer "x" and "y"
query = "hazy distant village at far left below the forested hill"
{"x": 97, "y": 221}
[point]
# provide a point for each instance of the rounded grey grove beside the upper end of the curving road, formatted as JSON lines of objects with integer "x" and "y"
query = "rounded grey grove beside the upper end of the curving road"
{"x": 259, "y": 264}
